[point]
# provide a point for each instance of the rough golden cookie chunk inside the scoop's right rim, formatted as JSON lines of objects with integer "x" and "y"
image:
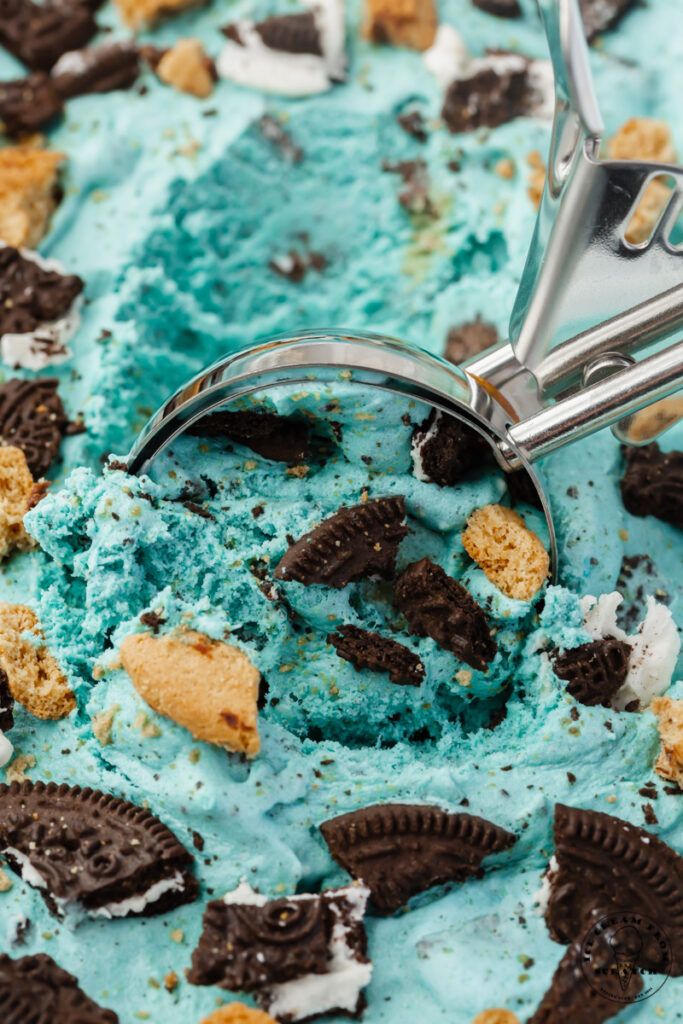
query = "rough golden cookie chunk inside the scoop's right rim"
{"x": 513, "y": 557}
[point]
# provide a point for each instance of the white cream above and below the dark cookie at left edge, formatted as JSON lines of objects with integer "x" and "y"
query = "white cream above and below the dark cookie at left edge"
{"x": 47, "y": 346}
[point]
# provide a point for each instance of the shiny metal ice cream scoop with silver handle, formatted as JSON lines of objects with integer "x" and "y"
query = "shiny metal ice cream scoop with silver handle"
{"x": 588, "y": 301}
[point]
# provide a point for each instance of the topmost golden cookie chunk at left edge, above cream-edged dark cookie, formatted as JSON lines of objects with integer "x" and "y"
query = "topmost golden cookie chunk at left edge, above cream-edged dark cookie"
{"x": 28, "y": 194}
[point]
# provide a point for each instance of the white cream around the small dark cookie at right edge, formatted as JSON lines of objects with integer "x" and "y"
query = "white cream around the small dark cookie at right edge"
{"x": 655, "y": 648}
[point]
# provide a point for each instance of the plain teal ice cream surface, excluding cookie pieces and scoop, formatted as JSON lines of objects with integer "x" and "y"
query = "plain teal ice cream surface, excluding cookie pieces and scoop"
{"x": 173, "y": 218}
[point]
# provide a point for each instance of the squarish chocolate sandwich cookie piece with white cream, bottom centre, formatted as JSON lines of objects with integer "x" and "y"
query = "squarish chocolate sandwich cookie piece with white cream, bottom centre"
{"x": 302, "y": 956}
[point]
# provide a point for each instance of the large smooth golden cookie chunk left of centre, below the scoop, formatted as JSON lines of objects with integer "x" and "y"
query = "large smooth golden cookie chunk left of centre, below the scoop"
{"x": 205, "y": 686}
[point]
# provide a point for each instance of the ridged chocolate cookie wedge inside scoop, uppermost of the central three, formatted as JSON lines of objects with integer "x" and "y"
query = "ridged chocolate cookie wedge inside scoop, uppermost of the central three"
{"x": 357, "y": 542}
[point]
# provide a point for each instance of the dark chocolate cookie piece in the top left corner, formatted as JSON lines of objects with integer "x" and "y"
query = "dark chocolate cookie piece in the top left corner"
{"x": 39, "y": 34}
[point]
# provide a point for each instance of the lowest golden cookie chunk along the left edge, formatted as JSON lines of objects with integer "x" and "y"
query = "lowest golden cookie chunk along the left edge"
{"x": 34, "y": 677}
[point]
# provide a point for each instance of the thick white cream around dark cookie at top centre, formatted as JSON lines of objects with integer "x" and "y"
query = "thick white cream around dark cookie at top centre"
{"x": 260, "y": 67}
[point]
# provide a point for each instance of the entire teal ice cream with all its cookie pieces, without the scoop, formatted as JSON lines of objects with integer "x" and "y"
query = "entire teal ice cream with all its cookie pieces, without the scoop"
{"x": 298, "y": 726}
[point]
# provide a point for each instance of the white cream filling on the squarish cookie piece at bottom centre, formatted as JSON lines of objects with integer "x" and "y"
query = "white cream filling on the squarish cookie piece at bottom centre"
{"x": 340, "y": 988}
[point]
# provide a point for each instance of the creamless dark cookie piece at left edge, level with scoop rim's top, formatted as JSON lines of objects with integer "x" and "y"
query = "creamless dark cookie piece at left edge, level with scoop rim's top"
{"x": 33, "y": 419}
